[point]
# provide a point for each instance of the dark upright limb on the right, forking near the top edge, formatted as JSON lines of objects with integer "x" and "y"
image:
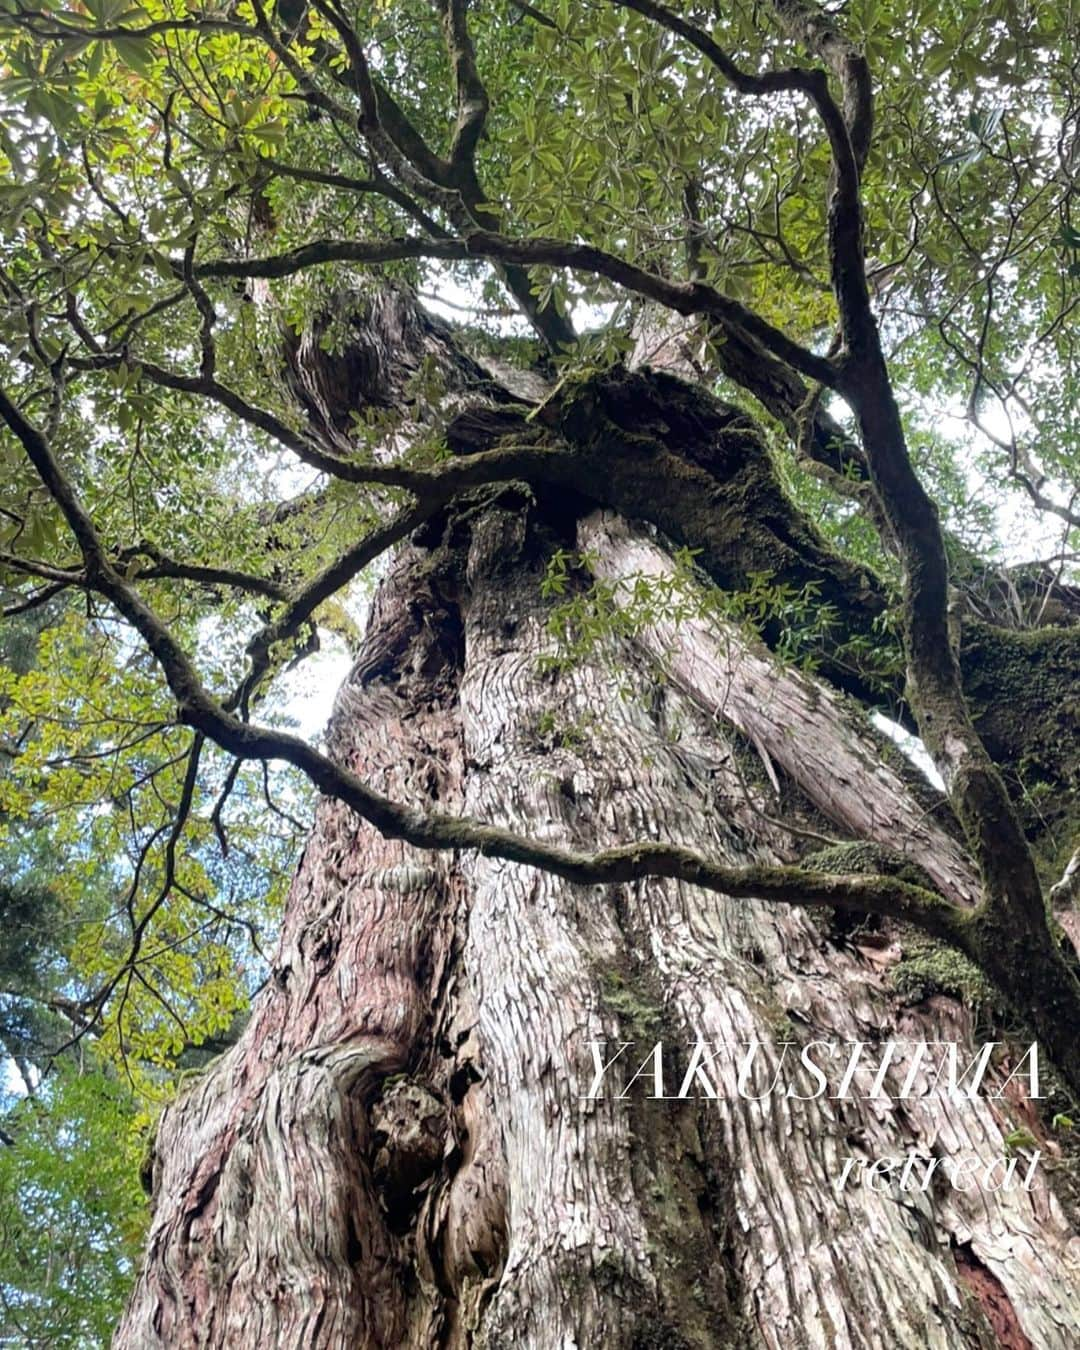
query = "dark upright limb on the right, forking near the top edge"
{"x": 935, "y": 685}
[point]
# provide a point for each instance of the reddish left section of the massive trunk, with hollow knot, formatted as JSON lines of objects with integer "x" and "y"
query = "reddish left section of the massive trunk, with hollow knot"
{"x": 292, "y": 1185}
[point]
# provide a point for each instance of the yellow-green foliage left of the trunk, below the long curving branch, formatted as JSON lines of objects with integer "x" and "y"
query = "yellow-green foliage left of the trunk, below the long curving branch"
{"x": 156, "y": 927}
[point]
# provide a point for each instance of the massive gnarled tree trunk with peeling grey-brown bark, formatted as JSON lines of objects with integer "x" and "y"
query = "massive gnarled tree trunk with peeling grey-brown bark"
{"x": 398, "y": 1155}
